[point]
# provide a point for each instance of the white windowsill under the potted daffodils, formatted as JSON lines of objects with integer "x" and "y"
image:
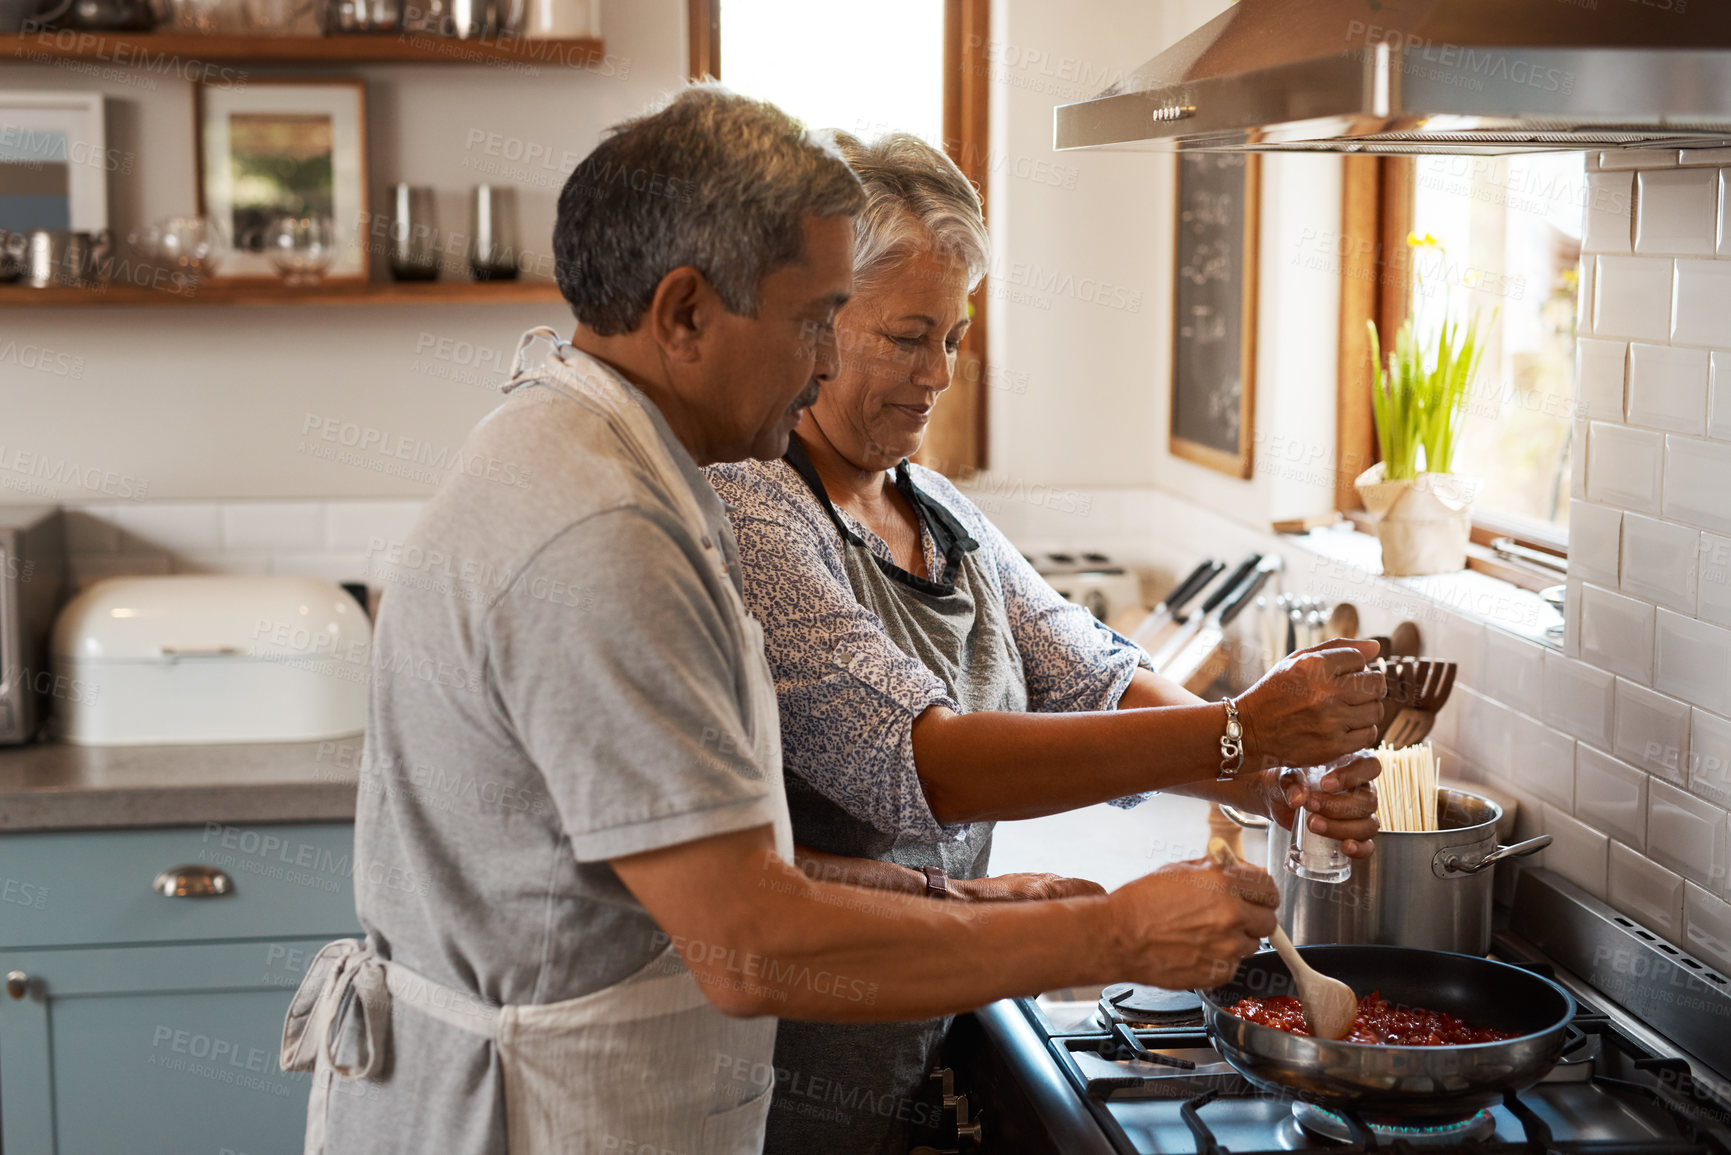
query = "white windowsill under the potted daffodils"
{"x": 1469, "y": 593}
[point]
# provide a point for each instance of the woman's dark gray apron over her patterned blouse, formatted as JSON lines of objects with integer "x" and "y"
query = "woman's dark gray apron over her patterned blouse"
{"x": 863, "y": 1088}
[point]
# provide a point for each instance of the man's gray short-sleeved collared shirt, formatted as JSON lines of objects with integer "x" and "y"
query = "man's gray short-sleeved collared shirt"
{"x": 555, "y": 685}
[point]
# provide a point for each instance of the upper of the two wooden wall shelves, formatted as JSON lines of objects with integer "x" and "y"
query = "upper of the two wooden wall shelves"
{"x": 143, "y": 49}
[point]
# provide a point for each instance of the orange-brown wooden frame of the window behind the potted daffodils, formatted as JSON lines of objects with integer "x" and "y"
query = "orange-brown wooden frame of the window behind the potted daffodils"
{"x": 1377, "y": 283}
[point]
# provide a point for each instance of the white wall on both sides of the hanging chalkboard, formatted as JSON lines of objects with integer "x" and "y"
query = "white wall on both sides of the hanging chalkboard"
{"x": 1083, "y": 283}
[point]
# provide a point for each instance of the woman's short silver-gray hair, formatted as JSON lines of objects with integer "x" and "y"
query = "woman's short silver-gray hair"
{"x": 917, "y": 202}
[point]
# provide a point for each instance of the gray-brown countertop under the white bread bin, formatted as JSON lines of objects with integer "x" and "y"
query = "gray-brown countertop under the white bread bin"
{"x": 63, "y": 787}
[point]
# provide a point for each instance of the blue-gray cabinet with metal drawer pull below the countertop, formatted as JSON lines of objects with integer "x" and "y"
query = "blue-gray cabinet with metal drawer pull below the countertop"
{"x": 150, "y": 1024}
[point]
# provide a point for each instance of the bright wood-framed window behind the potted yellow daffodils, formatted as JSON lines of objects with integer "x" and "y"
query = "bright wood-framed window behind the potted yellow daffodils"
{"x": 1474, "y": 233}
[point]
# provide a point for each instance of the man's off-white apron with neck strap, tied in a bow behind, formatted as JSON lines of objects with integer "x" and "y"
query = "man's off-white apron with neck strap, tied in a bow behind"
{"x": 576, "y": 1073}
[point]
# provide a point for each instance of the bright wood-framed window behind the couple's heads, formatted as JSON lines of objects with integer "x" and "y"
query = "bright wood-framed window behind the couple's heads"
{"x": 898, "y": 67}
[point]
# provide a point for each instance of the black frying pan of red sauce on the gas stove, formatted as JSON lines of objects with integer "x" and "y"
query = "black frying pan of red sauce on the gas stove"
{"x": 1398, "y": 1081}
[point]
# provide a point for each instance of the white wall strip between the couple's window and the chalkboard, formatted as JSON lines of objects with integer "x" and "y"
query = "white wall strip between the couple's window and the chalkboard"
{"x": 1079, "y": 321}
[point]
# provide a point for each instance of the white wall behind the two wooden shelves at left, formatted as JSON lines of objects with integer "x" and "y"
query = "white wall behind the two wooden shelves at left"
{"x": 212, "y": 403}
